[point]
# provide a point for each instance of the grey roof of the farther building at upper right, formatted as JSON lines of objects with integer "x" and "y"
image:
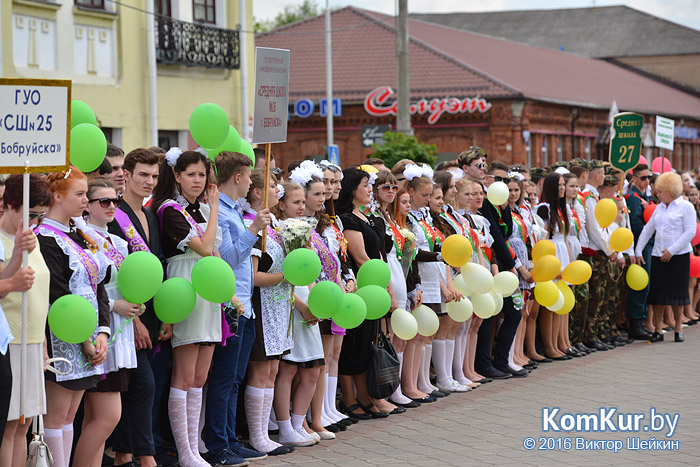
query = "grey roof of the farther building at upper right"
{"x": 602, "y": 32}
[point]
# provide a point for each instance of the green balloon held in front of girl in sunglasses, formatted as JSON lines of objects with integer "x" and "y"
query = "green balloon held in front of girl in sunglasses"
{"x": 140, "y": 276}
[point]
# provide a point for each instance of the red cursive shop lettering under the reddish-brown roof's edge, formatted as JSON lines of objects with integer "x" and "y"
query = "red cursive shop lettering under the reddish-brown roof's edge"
{"x": 377, "y": 104}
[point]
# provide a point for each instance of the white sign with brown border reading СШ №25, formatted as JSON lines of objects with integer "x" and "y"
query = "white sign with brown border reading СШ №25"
{"x": 34, "y": 125}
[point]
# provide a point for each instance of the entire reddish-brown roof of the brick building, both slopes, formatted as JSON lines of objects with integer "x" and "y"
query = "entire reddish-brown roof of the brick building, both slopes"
{"x": 452, "y": 61}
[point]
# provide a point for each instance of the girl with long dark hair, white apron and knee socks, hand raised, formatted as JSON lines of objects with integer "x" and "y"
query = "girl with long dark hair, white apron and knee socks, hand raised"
{"x": 189, "y": 233}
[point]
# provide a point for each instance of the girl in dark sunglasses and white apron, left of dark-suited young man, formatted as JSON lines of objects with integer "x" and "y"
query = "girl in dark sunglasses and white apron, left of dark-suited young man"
{"x": 104, "y": 401}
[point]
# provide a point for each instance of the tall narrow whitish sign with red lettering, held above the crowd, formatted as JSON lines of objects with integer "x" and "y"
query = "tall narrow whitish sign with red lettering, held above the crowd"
{"x": 271, "y": 95}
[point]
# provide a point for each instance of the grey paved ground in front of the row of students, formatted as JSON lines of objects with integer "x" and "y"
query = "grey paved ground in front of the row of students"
{"x": 488, "y": 426}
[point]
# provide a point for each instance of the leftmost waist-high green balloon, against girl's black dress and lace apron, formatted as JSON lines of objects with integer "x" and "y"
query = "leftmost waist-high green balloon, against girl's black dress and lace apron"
{"x": 72, "y": 319}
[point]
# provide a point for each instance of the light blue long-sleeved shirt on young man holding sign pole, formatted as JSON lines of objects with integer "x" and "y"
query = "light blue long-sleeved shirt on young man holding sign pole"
{"x": 236, "y": 249}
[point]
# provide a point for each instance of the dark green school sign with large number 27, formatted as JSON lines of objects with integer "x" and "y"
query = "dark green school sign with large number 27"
{"x": 626, "y": 141}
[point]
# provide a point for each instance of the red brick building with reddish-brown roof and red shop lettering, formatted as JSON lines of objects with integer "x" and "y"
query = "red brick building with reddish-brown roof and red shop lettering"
{"x": 523, "y": 104}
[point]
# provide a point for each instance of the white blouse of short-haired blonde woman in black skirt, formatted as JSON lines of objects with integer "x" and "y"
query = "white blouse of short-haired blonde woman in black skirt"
{"x": 674, "y": 225}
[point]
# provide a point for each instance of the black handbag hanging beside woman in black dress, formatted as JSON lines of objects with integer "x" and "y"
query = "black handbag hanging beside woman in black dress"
{"x": 384, "y": 375}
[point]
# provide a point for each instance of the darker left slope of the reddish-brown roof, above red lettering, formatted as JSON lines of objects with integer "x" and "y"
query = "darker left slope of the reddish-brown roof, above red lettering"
{"x": 364, "y": 58}
